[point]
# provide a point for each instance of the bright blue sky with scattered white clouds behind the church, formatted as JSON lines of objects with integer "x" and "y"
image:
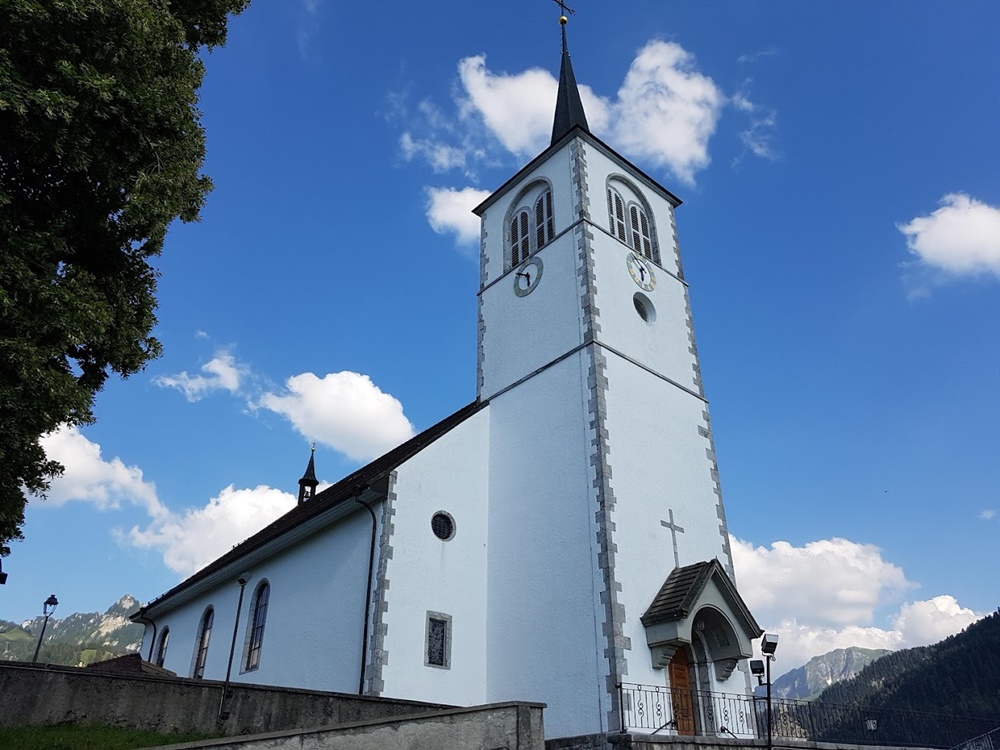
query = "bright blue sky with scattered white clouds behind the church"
{"x": 840, "y": 230}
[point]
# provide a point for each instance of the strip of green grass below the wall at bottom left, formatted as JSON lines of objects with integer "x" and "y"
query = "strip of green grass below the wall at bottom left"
{"x": 78, "y": 737}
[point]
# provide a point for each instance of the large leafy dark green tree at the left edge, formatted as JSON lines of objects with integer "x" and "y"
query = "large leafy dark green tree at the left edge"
{"x": 101, "y": 148}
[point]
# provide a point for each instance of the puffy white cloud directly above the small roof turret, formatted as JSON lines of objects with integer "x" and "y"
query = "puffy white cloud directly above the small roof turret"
{"x": 343, "y": 410}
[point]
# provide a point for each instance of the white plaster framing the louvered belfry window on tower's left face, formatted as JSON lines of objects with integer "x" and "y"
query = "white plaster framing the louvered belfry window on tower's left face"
{"x": 557, "y": 170}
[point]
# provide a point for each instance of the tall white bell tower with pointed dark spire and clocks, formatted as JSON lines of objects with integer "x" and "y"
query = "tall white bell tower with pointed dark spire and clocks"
{"x": 603, "y": 476}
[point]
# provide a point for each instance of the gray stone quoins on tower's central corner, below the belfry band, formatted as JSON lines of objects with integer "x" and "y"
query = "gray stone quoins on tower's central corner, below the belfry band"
{"x": 616, "y": 642}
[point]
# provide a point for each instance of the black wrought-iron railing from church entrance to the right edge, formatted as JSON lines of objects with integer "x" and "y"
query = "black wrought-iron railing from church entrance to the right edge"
{"x": 659, "y": 710}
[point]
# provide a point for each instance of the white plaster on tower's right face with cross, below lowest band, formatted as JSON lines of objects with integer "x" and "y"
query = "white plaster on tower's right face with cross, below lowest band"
{"x": 659, "y": 462}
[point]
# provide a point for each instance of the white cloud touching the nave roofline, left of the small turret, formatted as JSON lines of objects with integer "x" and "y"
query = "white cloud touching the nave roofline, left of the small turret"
{"x": 190, "y": 540}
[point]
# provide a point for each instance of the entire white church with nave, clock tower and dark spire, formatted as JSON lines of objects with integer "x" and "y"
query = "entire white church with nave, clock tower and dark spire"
{"x": 561, "y": 539}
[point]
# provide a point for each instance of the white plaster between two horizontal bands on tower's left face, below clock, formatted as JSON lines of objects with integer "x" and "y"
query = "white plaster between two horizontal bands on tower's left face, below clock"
{"x": 525, "y": 333}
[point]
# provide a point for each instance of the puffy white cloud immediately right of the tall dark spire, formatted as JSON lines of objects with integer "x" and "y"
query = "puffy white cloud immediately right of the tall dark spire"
{"x": 666, "y": 110}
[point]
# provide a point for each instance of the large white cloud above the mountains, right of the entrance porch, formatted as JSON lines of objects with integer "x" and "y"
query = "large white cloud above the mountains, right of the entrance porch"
{"x": 824, "y": 595}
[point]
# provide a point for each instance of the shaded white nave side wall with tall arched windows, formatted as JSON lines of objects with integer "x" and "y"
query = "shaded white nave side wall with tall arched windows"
{"x": 312, "y": 636}
